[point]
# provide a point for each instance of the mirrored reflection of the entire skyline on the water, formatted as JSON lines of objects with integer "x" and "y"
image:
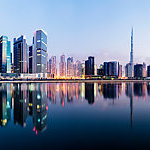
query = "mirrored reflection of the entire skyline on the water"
{"x": 20, "y": 101}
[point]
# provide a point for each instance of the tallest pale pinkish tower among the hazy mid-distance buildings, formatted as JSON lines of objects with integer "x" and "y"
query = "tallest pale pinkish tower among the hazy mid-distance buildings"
{"x": 62, "y": 66}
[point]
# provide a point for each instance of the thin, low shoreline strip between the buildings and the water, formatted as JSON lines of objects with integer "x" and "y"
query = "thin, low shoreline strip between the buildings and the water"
{"x": 70, "y": 81}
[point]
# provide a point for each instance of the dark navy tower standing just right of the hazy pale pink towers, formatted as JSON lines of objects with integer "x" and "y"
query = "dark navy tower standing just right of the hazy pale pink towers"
{"x": 89, "y": 66}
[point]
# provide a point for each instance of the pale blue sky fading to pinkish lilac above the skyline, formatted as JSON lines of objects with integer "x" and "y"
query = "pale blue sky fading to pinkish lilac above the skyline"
{"x": 82, "y": 28}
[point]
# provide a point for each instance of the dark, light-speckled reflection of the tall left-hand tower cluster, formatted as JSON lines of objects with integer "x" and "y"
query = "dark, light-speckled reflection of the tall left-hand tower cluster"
{"x": 27, "y": 99}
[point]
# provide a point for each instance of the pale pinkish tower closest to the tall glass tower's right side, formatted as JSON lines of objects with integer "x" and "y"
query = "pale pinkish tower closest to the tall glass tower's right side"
{"x": 52, "y": 66}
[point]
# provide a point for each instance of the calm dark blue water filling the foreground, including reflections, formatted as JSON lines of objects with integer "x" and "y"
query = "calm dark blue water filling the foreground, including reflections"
{"x": 75, "y": 115}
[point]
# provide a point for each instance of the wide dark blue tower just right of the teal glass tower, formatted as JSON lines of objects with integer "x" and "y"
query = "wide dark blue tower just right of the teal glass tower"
{"x": 20, "y": 55}
